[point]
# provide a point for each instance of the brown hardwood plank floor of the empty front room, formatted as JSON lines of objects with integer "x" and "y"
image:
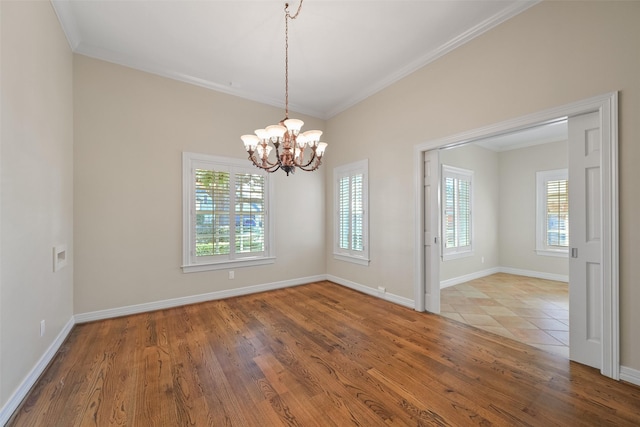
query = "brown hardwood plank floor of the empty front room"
{"x": 313, "y": 355}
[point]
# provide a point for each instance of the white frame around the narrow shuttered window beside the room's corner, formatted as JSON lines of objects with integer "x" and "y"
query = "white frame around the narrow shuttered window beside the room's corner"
{"x": 349, "y": 255}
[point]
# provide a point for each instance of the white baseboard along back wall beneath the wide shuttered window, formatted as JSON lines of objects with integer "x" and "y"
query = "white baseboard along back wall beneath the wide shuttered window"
{"x": 193, "y": 299}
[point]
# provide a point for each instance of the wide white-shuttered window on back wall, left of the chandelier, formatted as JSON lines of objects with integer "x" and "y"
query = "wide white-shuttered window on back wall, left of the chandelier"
{"x": 225, "y": 213}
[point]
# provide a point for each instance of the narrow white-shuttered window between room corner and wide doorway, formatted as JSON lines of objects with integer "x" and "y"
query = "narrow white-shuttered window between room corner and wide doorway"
{"x": 351, "y": 224}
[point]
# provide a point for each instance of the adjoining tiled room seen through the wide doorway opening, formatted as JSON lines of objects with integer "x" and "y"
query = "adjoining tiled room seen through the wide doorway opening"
{"x": 505, "y": 263}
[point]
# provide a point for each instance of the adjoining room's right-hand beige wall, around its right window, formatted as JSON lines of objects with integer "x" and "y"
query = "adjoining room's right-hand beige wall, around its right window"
{"x": 518, "y": 206}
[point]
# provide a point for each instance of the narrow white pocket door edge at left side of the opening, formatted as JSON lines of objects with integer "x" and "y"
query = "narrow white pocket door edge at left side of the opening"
{"x": 431, "y": 229}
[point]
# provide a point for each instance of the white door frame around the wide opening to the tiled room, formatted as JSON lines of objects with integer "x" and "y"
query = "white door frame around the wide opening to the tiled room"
{"x": 607, "y": 107}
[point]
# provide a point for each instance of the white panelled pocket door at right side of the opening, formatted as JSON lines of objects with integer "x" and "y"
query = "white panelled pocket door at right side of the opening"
{"x": 585, "y": 228}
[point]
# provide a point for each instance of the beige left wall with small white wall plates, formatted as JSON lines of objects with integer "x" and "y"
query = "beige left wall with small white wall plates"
{"x": 36, "y": 186}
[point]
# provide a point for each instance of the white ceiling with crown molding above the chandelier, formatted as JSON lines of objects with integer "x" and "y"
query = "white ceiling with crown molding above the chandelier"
{"x": 340, "y": 52}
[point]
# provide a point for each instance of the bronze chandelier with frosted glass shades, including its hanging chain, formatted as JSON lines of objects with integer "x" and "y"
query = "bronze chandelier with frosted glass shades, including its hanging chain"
{"x": 293, "y": 148}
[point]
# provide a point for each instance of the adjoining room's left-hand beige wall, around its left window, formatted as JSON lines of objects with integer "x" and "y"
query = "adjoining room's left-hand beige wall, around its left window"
{"x": 486, "y": 216}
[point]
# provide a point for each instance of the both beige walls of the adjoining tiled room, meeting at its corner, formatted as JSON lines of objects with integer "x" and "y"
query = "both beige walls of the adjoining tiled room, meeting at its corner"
{"x": 504, "y": 228}
